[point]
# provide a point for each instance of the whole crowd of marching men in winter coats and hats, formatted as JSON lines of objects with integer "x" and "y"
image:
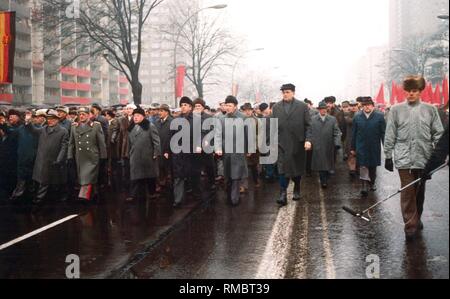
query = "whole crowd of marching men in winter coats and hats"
{"x": 49, "y": 153}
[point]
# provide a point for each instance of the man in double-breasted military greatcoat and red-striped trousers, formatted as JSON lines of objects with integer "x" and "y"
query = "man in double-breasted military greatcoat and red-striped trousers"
{"x": 87, "y": 146}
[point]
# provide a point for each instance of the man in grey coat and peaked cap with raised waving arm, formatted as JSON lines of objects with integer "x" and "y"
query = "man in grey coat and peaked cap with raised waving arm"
{"x": 50, "y": 170}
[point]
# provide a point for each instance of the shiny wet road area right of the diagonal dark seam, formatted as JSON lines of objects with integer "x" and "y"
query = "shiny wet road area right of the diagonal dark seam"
{"x": 311, "y": 239}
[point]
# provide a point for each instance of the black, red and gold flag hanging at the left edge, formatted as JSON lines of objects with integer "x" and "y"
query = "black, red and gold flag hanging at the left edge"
{"x": 7, "y": 46}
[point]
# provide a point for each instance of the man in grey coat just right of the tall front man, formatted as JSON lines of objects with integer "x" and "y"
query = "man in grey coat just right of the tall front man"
{"x": 326, "y": 139}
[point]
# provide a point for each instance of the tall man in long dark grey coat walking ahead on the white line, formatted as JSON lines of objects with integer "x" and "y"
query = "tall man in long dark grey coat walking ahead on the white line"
{"x": 294, "y": 137}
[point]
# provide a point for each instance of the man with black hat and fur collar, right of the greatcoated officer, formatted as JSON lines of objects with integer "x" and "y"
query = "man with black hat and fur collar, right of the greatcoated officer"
{"x": 145, "y": 150}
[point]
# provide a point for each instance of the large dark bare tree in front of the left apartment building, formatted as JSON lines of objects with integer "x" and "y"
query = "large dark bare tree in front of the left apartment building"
{"x": 111, "y": 29}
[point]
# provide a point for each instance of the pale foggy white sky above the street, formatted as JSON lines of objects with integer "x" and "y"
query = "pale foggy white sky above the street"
{"x": 314, "y": 42}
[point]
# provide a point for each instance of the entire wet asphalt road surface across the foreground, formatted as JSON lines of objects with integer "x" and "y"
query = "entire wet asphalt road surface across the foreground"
{"x": 313, "y": 238}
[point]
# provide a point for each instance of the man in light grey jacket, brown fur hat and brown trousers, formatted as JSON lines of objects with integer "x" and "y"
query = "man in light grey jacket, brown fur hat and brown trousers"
{"x": 413, "y": 130}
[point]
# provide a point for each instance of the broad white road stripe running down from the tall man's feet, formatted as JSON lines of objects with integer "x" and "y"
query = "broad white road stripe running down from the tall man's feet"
{"x": 274, "y": 262}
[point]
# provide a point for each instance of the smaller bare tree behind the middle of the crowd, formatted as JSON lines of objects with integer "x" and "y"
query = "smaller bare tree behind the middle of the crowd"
{"x": 205, "y": 44}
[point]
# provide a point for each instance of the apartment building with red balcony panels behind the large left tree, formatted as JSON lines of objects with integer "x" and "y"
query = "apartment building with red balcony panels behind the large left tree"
{"x": 55, "y": 79}
